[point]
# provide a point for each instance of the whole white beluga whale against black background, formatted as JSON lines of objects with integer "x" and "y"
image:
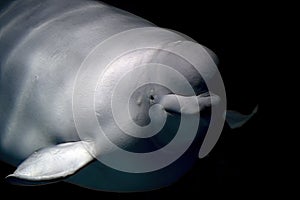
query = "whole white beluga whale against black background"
{"x": 103, "y": 99}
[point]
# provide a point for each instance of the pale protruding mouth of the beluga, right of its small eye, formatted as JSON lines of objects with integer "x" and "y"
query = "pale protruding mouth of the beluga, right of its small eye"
{"x": 188, "y": 104}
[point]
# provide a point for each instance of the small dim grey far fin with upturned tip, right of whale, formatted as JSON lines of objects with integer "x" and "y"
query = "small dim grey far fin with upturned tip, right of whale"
{"x": 235, "y": 119}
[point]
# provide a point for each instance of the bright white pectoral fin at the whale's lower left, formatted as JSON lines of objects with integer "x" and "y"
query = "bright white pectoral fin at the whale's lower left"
{"x": 52, "y": 164}
